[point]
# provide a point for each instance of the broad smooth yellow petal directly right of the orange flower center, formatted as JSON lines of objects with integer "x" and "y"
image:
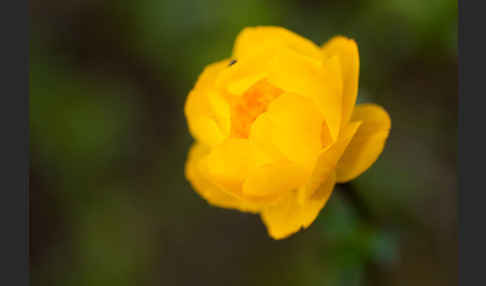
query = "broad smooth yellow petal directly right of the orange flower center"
{"x": 296, "y": 128}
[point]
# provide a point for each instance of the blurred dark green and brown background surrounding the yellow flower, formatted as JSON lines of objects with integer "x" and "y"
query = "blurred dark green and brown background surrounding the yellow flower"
{"x": 109, "y": 204}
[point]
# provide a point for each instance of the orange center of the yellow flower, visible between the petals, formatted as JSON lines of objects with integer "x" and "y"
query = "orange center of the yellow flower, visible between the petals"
{"x": 247, "y": 107}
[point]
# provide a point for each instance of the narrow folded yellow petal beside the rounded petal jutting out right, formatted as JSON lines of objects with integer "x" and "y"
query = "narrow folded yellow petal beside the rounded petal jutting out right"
{"x": 327, "y": 161}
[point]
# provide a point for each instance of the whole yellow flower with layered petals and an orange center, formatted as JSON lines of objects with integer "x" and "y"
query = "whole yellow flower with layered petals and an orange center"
{"x": 276, "y": 127}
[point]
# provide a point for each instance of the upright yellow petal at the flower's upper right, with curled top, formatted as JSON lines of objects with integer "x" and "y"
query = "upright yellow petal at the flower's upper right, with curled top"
{"x": 347, "y": 51}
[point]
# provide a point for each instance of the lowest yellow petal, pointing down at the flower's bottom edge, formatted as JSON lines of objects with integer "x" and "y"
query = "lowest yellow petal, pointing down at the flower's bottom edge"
{"x": 288, "y": 216}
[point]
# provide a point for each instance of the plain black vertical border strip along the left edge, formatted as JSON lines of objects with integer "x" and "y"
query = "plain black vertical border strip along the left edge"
{"x": 14, "y": 124}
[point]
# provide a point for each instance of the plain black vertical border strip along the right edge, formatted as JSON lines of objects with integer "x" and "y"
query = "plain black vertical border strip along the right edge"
{"x": 472, "y": 143}
